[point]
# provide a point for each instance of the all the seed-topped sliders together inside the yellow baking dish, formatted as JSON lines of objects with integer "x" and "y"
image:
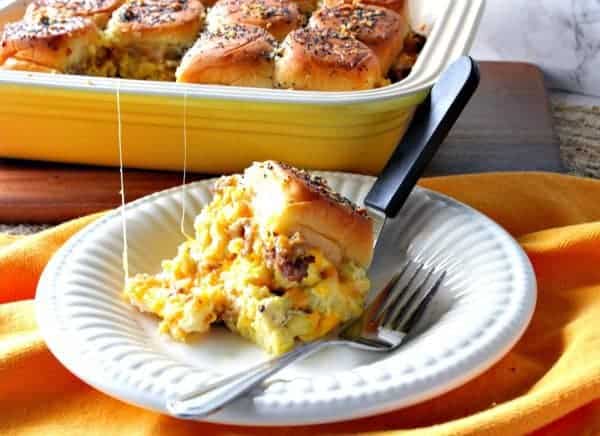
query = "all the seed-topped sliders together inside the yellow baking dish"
{"x": 259, "y": 43}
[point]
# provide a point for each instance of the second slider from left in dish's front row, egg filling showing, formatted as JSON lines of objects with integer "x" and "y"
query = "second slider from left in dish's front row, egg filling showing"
{"x": 149, "y": 37}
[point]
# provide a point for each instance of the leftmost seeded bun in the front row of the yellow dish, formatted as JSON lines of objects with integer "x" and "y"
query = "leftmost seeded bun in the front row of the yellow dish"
{"x": 62, "y": 44}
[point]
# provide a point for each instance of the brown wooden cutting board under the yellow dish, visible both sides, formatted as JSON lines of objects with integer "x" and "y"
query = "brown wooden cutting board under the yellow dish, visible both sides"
{"x": 507, "y": 126}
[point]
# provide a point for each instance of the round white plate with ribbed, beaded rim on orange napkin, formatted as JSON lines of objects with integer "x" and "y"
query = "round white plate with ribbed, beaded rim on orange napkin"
{"x": 486, "y": 302}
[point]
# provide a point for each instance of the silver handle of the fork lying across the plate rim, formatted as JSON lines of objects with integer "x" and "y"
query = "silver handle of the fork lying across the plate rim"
{"x": 209, "y": 399}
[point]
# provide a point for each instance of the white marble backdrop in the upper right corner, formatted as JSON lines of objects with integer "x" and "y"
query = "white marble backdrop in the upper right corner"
{"x": 560, "y": 36}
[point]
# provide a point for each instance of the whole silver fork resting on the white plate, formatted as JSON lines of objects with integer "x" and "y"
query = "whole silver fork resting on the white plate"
{"x": 389, "y": 318}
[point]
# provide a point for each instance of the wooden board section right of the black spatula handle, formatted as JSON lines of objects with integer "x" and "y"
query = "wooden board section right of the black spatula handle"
{"x": 507, "y": 126}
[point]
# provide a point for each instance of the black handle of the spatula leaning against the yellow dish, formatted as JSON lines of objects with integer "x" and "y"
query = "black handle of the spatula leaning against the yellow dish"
{"x": 430, "y": 126}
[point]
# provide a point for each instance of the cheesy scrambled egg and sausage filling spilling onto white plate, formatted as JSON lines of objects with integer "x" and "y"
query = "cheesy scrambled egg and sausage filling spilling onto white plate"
{"x": 231, "y": 272}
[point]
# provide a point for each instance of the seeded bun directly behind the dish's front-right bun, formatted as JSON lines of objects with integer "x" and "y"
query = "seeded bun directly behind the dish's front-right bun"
{"x": 382, "y": 30}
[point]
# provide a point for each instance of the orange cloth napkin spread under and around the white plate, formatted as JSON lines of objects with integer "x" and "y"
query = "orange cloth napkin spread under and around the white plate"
{"x": 549, "y": 384}
